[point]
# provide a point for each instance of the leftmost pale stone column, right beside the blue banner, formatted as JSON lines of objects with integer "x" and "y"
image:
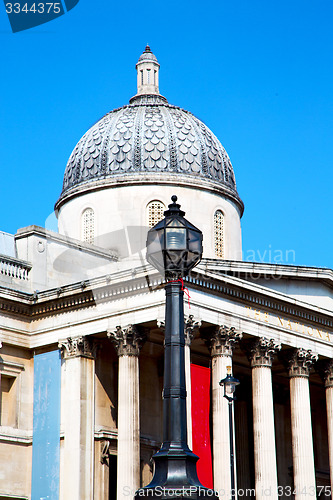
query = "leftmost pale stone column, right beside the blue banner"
{"x": 77, "y": 409}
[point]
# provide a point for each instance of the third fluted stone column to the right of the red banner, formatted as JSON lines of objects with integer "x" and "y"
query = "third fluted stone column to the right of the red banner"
{"x": 299, "y": 363}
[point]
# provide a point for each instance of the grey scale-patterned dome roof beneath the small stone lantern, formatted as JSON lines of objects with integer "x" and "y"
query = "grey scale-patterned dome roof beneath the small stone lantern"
{"x": 151, "y": 140}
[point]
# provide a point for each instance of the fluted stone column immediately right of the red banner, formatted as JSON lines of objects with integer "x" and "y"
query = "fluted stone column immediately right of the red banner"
{"x": 220, "y": 344}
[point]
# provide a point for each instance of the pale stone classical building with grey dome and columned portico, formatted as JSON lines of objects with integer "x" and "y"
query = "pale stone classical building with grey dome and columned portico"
{"x": 82, "y": 315}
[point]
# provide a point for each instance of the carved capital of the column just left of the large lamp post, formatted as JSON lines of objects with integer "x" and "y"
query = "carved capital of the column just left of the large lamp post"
{"x": 128, "y": 340}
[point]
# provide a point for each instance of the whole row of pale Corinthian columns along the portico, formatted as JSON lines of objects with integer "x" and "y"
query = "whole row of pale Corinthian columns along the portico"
{"x": 79, "y": 399}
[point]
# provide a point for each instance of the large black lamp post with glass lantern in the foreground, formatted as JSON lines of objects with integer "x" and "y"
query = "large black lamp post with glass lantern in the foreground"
{"x": 174, "y": 247}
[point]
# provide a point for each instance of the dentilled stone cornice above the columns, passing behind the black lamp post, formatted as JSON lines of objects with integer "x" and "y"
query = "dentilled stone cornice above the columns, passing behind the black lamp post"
{"x": 122, "y": 284}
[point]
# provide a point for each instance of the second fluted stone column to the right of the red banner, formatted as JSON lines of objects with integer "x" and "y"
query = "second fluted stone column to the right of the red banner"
{"x": 261, "y": 352}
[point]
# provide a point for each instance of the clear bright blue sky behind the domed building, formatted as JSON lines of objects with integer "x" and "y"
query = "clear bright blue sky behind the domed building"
{"x": 258, "y": 73}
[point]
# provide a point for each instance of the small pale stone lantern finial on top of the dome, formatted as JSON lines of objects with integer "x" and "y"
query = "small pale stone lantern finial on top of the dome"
{"x": 147, "y": 68}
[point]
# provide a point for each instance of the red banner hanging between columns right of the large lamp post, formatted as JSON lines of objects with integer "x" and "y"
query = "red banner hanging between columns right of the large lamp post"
{"x": 200, "y": 387}
